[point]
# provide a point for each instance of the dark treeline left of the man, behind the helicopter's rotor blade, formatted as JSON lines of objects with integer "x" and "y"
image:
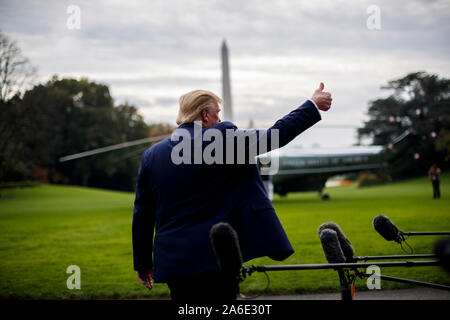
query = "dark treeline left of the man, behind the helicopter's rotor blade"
{"x": 67, "y": 116}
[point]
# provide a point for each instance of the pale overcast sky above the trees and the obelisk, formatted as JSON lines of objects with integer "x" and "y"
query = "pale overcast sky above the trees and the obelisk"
{"x": 151, "y": 52}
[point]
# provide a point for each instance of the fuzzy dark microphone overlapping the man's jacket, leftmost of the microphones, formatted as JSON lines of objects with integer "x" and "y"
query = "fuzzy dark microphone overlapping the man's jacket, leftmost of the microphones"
{"x": 225, "y": 243}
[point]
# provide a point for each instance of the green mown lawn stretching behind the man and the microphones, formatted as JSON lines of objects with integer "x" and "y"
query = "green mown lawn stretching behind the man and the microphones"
{"x": 45, "y": 229}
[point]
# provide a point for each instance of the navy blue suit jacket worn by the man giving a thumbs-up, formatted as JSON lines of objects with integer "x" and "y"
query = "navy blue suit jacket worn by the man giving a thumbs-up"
{"x": 176, "y": 206}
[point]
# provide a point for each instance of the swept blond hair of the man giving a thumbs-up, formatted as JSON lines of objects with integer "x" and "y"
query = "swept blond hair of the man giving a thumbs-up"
{"x": 192, "y": 104}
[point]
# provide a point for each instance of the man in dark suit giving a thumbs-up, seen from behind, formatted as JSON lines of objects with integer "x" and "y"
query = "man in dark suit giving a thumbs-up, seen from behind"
{"x": 177, "y": 202}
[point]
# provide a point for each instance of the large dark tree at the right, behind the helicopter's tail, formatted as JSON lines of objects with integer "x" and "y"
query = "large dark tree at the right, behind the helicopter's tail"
{"x": 420, "y": 104}
